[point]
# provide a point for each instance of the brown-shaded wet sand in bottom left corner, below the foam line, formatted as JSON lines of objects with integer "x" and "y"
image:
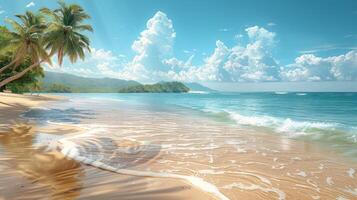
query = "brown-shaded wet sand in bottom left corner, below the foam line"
{"x": 29, "y": 172}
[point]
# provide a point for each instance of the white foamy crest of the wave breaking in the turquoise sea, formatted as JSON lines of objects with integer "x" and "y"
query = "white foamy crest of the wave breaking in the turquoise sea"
{"x": 289, "y": 126}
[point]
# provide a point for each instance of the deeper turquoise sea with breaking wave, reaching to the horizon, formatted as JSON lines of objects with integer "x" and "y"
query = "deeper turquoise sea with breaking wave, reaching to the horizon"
{"x": 327, "y": 117}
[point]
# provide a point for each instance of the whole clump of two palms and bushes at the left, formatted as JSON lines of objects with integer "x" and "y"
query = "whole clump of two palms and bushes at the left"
{"x": 36, "y": 37}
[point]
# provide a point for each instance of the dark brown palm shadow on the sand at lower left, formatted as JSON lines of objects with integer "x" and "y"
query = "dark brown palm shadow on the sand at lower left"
{"x": 50, "y": 169}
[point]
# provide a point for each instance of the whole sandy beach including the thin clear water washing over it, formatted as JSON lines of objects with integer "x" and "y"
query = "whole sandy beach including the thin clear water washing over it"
{"x": 66, "y": 148}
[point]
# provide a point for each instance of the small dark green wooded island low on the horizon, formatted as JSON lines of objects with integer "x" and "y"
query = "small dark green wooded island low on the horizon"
{"x": 162, "y": 87}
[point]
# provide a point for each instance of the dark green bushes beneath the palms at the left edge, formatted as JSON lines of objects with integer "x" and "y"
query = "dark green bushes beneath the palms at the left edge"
{"x": 27, "y": 83}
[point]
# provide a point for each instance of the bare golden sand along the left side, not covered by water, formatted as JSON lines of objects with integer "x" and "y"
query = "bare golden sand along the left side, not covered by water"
{"x": 39, "y": 173}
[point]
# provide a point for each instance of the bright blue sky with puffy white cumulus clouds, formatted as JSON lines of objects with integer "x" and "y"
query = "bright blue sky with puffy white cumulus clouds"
{"x": 226, "y": 44}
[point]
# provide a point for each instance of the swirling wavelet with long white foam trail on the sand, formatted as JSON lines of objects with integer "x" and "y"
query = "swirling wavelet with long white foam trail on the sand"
{"x": 121, "y": 156}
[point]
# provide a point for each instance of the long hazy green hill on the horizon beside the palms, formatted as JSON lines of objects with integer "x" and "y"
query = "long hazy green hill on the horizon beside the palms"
{"x": 52, "y": 81}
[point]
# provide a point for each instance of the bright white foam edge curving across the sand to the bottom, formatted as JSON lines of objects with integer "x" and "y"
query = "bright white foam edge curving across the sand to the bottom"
{"x": 75, "y": 148}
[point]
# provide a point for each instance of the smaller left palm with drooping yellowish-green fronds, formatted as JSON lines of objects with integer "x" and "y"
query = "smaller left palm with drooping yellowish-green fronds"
{"x": 26, "y": 39}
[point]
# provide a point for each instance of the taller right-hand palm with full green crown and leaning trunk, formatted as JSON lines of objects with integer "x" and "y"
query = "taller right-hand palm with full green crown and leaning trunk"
{"x": 62, "y": 37}
